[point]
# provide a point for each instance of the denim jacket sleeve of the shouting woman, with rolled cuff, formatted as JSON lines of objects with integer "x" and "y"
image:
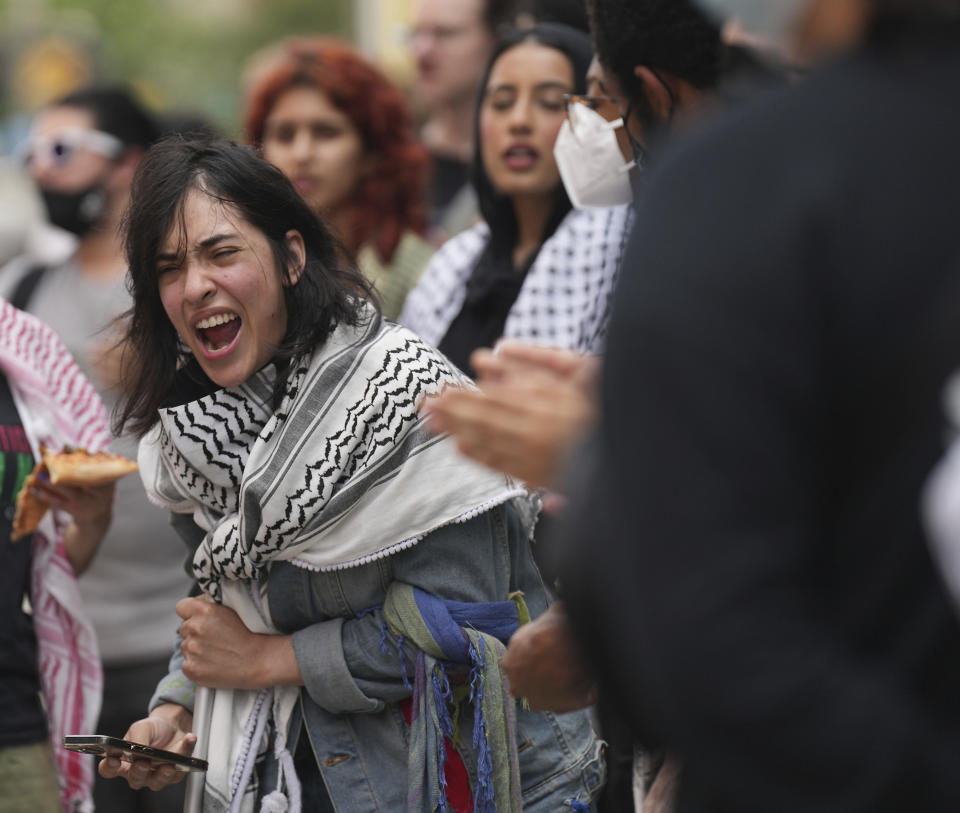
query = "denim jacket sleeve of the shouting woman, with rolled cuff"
{"x": 342, "y": 660}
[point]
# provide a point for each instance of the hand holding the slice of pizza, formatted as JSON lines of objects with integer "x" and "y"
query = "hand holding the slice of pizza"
{"x": 92, "y": 510}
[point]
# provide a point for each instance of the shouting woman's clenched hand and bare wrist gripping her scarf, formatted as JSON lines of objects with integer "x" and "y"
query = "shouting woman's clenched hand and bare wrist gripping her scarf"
{"x": 219, "y": 651}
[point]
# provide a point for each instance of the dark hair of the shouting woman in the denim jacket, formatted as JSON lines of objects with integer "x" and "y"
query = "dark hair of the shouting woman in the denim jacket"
{"x": 329, "y": 291}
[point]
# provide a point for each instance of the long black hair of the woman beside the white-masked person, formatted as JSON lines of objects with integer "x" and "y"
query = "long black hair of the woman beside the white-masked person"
{"x": 495, "y": 207}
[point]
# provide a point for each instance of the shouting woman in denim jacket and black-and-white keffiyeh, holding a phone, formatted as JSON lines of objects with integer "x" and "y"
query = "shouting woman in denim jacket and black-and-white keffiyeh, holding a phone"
{"x": 360, "y": 578}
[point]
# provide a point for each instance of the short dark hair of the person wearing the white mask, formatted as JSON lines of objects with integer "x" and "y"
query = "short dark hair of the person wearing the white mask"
{"x": 672, "y": 35}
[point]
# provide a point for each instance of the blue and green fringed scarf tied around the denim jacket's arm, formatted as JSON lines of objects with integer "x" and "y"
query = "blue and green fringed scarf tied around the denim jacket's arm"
{"x": 471, "y": 634}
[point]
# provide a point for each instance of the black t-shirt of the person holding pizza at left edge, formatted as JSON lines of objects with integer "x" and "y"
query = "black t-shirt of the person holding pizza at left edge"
{"x": 22, "y": 720}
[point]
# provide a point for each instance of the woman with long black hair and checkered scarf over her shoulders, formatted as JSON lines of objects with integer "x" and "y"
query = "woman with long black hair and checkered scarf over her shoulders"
{"x": 534, "y": 268}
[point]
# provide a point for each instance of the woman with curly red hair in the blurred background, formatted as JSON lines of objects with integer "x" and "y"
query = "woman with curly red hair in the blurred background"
{"x": 341, "y": 131}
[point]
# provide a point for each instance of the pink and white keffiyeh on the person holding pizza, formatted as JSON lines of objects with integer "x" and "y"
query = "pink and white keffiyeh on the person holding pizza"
{"x": 58, "y": 406}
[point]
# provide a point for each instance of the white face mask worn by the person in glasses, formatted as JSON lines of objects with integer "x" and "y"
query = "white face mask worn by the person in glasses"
{"x": 591, "y": 165}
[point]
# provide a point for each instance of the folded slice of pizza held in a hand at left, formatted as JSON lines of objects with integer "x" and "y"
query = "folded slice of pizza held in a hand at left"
{"x": 70, "y": 467}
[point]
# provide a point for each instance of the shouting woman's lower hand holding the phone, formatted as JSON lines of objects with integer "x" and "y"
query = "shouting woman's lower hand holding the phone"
{"x": 167, "y": 727}
